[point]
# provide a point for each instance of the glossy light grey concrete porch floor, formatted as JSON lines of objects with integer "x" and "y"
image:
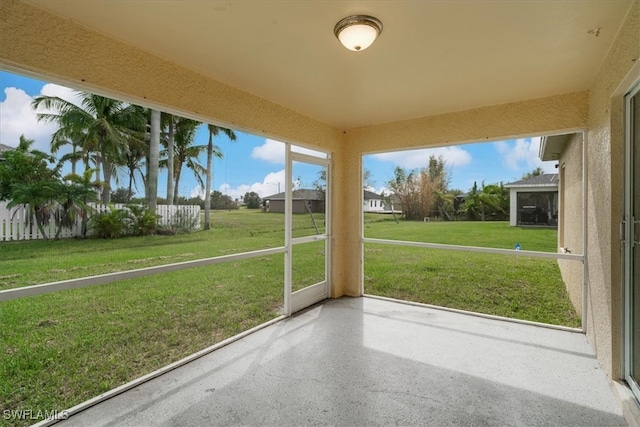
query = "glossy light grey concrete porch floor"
{"x": 364, "y": 361}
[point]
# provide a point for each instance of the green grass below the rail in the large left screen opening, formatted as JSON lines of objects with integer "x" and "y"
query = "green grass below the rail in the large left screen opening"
{"x": 63, "y": 348}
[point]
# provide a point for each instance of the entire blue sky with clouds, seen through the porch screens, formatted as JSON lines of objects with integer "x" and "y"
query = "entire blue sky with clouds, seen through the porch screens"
{"x": 254, "y": 163}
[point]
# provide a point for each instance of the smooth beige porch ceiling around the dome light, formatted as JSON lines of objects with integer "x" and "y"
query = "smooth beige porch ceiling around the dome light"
{"x": 432, "y": 57}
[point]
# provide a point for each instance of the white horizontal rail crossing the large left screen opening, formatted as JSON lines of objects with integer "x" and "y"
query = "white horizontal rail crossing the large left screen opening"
{"x": 46, "y": 288}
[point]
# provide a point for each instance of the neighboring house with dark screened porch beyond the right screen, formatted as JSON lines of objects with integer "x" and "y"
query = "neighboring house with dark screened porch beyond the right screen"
{"x": 534, "y": 200}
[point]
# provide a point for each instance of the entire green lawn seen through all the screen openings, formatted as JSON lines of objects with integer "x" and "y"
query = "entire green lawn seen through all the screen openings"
{"x": 63, "y": 348}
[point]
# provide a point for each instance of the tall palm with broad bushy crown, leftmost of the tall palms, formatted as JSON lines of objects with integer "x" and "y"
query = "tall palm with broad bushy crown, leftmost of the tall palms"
{"x": 101, "y": 125}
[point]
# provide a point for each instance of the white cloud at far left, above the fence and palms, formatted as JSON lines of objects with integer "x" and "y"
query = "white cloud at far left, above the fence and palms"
{"x": 18, "y": 118}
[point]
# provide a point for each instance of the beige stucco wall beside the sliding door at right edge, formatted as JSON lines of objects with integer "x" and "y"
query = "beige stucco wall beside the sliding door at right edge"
{"x": 604, "y": 195}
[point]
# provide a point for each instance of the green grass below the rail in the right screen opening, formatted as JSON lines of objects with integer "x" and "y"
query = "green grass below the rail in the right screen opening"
{"x": 518, "y": 287}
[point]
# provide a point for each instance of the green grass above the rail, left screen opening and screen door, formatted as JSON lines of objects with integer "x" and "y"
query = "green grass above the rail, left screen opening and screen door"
{"x": 26, "y": 263}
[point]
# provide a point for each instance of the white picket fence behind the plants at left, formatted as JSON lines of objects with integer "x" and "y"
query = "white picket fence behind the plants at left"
{"x": 16, "y": 224}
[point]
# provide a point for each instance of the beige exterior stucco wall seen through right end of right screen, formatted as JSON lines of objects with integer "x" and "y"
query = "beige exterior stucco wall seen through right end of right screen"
{"x": 570, "y": 228}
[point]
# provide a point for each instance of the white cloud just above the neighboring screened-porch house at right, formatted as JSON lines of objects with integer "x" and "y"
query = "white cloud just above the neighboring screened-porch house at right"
{"x": 523, "y": 155}
